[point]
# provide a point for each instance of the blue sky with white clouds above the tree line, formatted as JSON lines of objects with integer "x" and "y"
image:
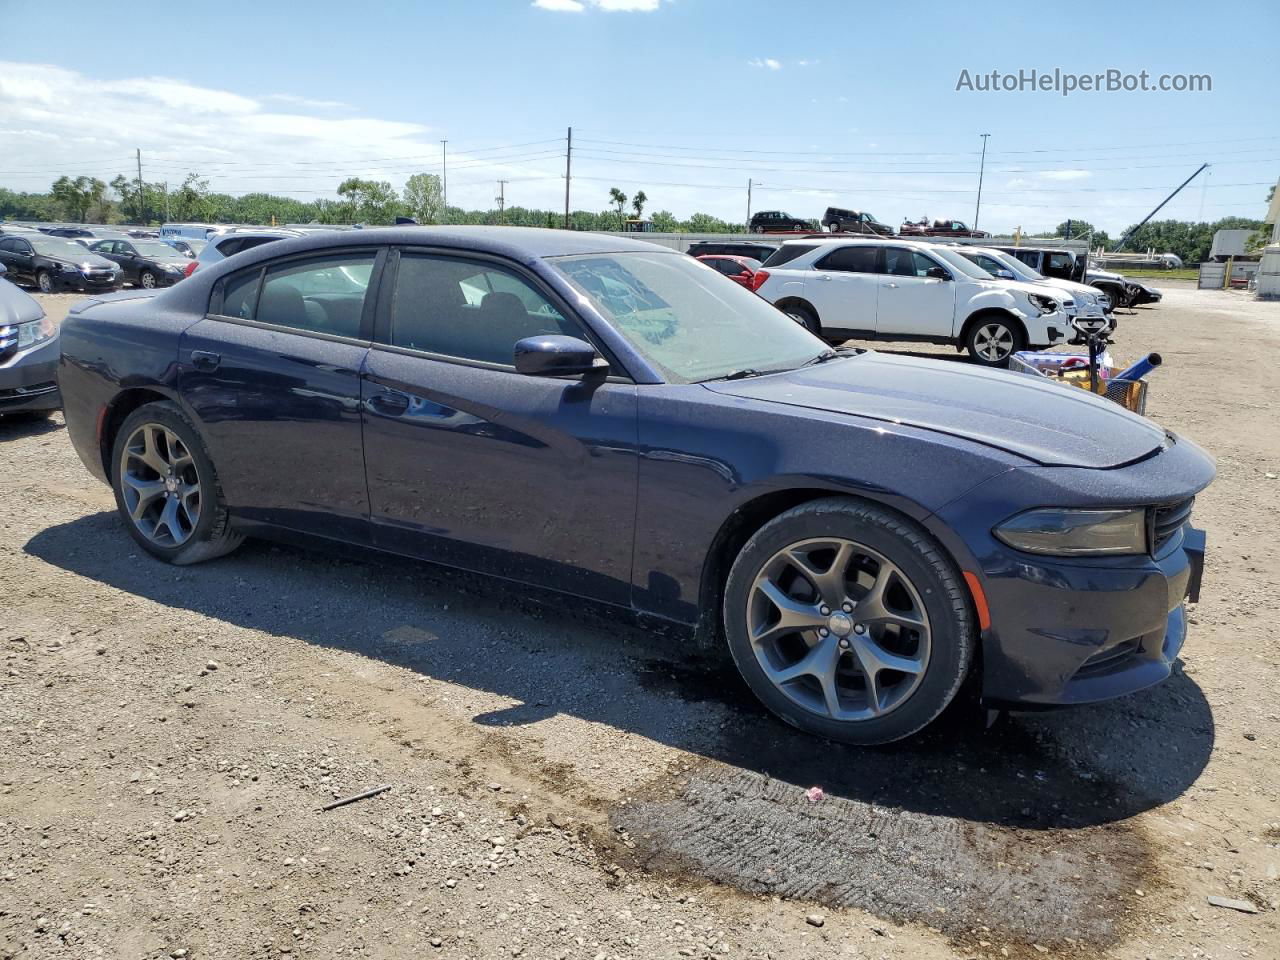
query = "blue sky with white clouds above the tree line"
{"x": 872, "y": 107}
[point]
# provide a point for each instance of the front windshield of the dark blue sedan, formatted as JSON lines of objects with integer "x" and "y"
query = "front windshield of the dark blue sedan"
{"x": 687, "y": 322}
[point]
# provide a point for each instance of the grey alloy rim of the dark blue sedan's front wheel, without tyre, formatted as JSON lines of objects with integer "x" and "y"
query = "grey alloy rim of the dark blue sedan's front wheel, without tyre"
{"x": 839, "y": 629}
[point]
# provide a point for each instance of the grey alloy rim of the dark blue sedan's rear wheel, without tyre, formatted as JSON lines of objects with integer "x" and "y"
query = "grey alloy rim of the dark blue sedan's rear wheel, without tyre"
{"x": 161, "y": 486}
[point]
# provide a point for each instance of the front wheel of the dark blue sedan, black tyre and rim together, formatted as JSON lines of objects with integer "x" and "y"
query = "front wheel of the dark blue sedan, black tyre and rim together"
{"x": 849, "y": 621}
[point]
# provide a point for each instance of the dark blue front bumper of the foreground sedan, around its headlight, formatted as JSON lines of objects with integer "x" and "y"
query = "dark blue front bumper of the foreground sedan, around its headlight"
{"x": 1080, "y": 630}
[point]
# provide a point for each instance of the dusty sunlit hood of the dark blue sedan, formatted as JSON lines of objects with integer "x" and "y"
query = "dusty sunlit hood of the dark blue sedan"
{"x": 1026, "y": 415}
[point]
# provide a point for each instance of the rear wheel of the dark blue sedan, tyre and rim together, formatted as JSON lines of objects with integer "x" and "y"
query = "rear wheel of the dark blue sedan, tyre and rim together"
{"x": 167, "y": 488}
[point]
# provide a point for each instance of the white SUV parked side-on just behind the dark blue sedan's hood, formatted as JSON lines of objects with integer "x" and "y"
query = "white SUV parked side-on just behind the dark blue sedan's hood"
{"x": 886, "y": 290}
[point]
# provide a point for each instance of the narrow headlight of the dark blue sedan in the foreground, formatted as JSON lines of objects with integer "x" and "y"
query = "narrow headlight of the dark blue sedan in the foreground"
{"x": 1077, "y": 533}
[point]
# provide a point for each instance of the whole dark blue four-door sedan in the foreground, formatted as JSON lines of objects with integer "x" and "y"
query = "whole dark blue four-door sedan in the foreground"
{"x": 616, "y": 422}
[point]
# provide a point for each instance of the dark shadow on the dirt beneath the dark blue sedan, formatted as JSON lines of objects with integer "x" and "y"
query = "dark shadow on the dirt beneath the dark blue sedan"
{"x": 1063, "y": 770}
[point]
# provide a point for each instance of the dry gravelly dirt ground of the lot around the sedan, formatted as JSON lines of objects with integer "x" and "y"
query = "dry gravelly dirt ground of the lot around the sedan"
{"x": 566, "y": 788}
